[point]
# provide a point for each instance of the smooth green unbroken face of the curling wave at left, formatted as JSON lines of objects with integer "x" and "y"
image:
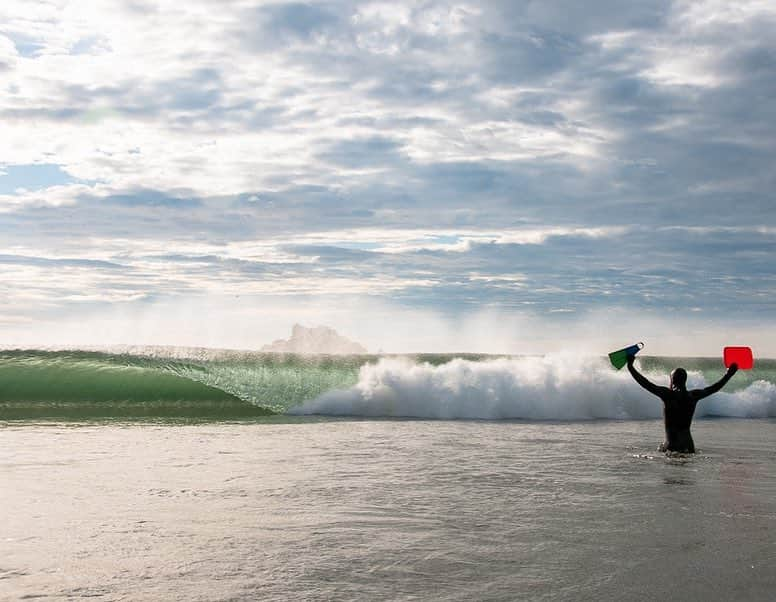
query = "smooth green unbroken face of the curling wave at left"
{"x": 222, "y": 385}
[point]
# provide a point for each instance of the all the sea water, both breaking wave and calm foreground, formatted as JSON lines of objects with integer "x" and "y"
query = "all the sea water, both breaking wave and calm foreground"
{"x": 431, "y": 478}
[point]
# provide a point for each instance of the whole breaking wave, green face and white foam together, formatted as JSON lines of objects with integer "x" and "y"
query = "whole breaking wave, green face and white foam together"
{"x": 222, "y": 385}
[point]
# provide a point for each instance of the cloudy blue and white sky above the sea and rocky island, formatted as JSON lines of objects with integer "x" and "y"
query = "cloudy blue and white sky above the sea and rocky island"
{"x": 500, "y": 176}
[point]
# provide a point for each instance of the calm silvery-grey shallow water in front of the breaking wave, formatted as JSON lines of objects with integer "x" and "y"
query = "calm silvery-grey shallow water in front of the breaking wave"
{"x": 386, "y": 510}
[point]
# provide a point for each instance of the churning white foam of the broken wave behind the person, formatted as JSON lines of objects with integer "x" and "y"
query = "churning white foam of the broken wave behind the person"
{"x": 555, "y": 387}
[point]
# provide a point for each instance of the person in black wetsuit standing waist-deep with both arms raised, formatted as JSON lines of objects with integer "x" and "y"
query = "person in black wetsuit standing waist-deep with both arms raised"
{"x": 679, "y": 404}
